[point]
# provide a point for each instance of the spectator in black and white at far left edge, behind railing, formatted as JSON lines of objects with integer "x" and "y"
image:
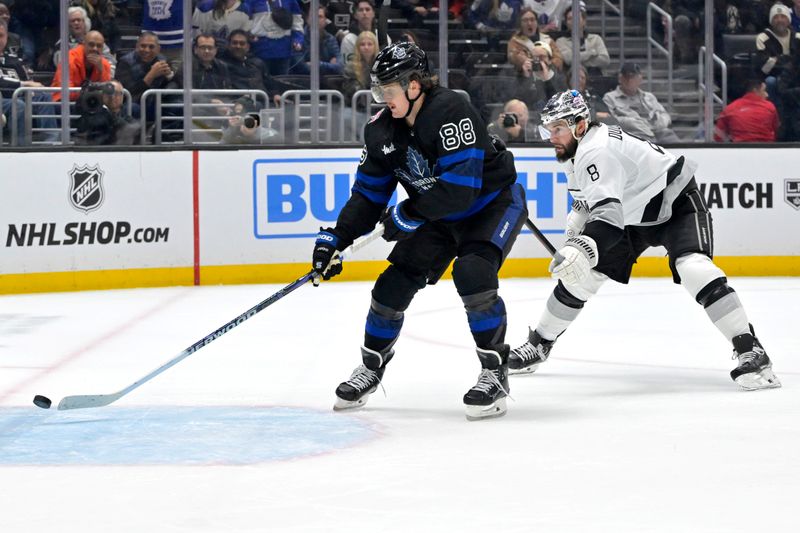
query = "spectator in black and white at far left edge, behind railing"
{"x": 14, "y": 75}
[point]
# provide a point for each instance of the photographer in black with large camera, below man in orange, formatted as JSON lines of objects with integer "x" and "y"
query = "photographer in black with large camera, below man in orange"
{"x": 102, "y": 119}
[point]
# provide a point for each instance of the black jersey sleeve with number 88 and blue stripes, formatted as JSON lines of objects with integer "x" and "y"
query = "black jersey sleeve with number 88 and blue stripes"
{"x": 461, "y": 143}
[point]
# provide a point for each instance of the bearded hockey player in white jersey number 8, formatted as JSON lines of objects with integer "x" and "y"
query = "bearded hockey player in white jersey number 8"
{"x": 630, "y": 194}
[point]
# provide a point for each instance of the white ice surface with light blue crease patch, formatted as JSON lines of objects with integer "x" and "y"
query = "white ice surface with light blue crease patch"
{"x": 633, "y": 425}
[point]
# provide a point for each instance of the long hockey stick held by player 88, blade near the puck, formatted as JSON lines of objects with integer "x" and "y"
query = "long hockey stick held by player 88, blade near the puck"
{"x": 98, "y": 400}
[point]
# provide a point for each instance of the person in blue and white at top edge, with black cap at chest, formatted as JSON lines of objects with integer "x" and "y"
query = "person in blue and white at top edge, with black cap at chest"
{"x": 278, "y": 28}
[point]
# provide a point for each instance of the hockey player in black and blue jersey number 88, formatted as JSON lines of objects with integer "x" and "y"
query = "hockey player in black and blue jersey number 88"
{"x": 462, "y": 204}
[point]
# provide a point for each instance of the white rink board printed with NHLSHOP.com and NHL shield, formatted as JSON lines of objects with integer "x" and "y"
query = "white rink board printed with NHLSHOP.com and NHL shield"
{"x": 138, "y": 215}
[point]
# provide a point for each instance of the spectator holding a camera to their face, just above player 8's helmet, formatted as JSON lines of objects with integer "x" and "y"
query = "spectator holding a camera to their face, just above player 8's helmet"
{"x": 537, "y": 80}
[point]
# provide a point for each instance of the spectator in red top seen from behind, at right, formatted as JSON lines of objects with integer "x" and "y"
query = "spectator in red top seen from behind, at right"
{"x": 751, "y": 118}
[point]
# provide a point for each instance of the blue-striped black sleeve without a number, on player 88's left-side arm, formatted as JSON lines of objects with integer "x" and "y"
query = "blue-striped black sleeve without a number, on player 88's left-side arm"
{"x": 370, "y": 194}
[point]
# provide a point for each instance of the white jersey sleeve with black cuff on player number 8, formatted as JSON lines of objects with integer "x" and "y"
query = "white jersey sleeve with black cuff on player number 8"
{"x": 602, "y": 177}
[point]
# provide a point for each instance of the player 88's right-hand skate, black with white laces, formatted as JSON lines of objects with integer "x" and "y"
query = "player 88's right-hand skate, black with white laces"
{"x": 487, "y": 399}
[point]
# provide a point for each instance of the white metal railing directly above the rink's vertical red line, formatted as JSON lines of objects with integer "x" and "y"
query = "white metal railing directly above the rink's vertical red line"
{"x": 201, "y": 123}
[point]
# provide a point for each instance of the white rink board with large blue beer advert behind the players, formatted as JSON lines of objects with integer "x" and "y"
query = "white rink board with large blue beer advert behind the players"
{"x": 265, "y": 206}
